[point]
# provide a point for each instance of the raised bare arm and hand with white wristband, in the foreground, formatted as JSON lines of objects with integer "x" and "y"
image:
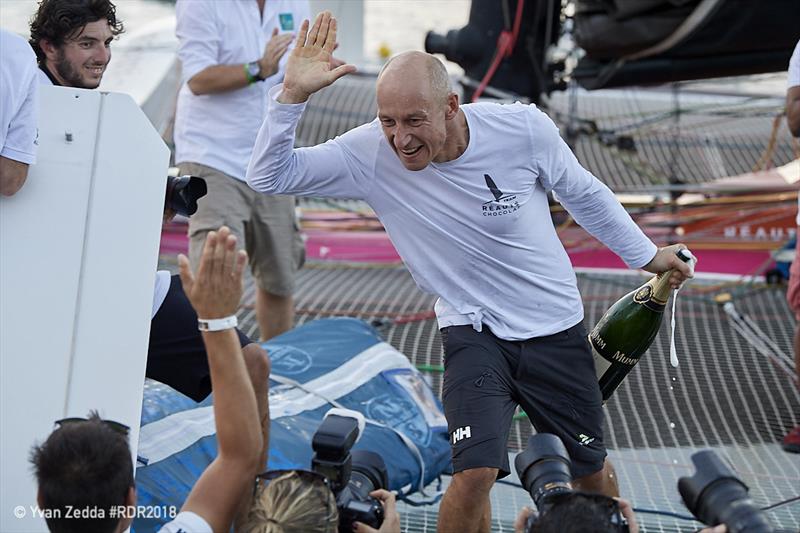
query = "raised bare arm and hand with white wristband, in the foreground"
{"x": 215, "y": 292}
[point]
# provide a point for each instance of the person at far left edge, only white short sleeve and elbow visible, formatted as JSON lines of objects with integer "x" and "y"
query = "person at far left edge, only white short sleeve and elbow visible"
{"x": 18, "y": 111}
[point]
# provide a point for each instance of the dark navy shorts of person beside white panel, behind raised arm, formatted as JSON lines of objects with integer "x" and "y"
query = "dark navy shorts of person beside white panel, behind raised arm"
{"x": 176, "y": 355}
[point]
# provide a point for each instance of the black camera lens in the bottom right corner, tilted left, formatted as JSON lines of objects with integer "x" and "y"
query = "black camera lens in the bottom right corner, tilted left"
{"x": 714, "y": 495}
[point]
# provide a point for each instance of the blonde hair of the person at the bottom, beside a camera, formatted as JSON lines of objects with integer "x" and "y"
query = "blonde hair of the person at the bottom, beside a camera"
{"x": 292, "y": 504}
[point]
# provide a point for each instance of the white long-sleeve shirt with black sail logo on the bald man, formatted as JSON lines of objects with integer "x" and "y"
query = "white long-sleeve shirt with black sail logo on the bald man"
{"x": 475, "y": 231}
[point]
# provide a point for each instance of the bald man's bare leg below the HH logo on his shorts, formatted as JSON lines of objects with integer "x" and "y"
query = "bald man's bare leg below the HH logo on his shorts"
{"x": 465, "y": 507}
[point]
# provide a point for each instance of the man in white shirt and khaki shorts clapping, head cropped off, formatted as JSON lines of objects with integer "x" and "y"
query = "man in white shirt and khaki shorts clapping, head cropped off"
{"x": 232, "y": 54}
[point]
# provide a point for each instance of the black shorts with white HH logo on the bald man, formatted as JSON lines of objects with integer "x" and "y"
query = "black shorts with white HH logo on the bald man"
{"x": 552, "y": 378}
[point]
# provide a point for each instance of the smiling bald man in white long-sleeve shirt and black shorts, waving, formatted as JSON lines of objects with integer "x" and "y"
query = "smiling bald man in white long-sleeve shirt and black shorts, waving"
{"x": 462, "y": 193}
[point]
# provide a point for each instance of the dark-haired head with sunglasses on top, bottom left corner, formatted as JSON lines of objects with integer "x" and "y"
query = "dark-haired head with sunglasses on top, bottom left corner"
{"x": 85, "y": 465}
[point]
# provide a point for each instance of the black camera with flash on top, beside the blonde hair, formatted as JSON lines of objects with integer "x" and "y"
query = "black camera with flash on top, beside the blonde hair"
{"x": 351, "y": 475}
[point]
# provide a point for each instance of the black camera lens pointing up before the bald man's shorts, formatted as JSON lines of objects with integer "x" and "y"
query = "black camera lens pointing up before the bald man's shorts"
{"x": 544, "y": 469}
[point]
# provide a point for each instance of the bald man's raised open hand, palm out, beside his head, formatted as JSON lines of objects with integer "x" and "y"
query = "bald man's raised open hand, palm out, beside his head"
{"x": 309, "y": 66}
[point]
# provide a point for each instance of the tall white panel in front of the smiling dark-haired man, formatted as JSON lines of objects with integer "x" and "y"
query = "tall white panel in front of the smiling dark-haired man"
{"x": 78, "y": 252}
